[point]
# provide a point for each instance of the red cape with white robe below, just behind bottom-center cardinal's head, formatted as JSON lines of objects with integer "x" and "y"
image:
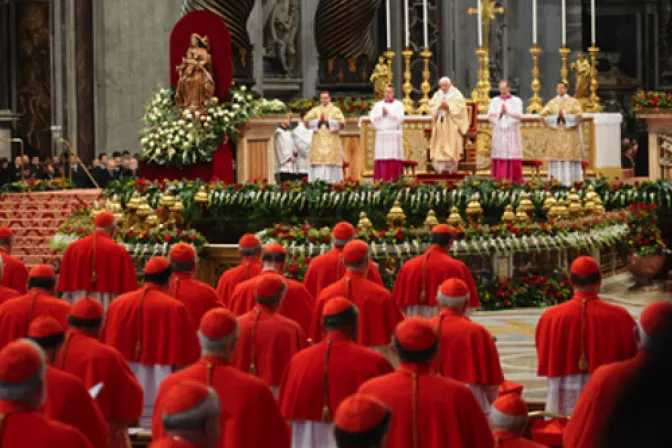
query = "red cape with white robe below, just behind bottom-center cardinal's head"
{"x": 349, "y": 365}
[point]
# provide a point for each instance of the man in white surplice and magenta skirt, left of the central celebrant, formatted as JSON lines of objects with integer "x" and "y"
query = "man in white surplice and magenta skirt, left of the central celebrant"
{"x": 387, "y": 118}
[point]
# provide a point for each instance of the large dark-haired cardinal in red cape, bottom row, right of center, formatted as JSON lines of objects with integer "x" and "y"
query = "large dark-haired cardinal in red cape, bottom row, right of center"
{"x": 427, "y": 410}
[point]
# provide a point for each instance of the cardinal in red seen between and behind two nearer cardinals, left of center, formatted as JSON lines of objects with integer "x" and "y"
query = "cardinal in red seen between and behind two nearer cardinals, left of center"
{"x": 268, "y": 340}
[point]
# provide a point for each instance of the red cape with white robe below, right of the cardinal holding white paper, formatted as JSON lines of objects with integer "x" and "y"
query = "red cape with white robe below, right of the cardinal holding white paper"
{"x": 150, "y": 327}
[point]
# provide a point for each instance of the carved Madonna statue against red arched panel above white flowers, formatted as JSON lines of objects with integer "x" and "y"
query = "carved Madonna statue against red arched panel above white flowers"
{"x": 195, "y": 85}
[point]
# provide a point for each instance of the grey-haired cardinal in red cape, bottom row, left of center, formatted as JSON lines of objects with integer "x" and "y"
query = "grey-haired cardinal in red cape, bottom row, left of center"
{"x": 254, "y": 420}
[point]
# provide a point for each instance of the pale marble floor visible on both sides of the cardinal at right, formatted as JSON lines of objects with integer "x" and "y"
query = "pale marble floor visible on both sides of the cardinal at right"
{"x": 515, "y": 329}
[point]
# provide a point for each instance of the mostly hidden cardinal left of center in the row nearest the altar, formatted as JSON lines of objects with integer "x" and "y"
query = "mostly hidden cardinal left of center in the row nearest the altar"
{"x": 249, "y": 249}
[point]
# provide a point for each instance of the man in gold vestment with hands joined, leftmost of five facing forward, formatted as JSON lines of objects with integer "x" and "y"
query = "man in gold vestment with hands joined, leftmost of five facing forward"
{"x": 326, "y": 152}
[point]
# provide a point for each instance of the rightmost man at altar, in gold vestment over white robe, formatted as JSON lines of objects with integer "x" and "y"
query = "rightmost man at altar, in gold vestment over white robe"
{"x": 562, "y": 116}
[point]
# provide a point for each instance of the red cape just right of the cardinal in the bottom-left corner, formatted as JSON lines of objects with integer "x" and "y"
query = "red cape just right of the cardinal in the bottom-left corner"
{"x": 68, "y": 401}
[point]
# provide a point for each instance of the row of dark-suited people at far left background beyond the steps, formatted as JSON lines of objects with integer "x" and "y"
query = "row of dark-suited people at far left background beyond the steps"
{"x": 103, "y": 169}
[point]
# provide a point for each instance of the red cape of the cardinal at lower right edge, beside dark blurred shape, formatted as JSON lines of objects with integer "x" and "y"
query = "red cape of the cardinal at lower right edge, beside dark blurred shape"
{"x": 598, "y": 398}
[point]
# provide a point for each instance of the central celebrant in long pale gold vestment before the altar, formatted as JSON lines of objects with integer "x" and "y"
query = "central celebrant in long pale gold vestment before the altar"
{"x": 450, "y": 123}
